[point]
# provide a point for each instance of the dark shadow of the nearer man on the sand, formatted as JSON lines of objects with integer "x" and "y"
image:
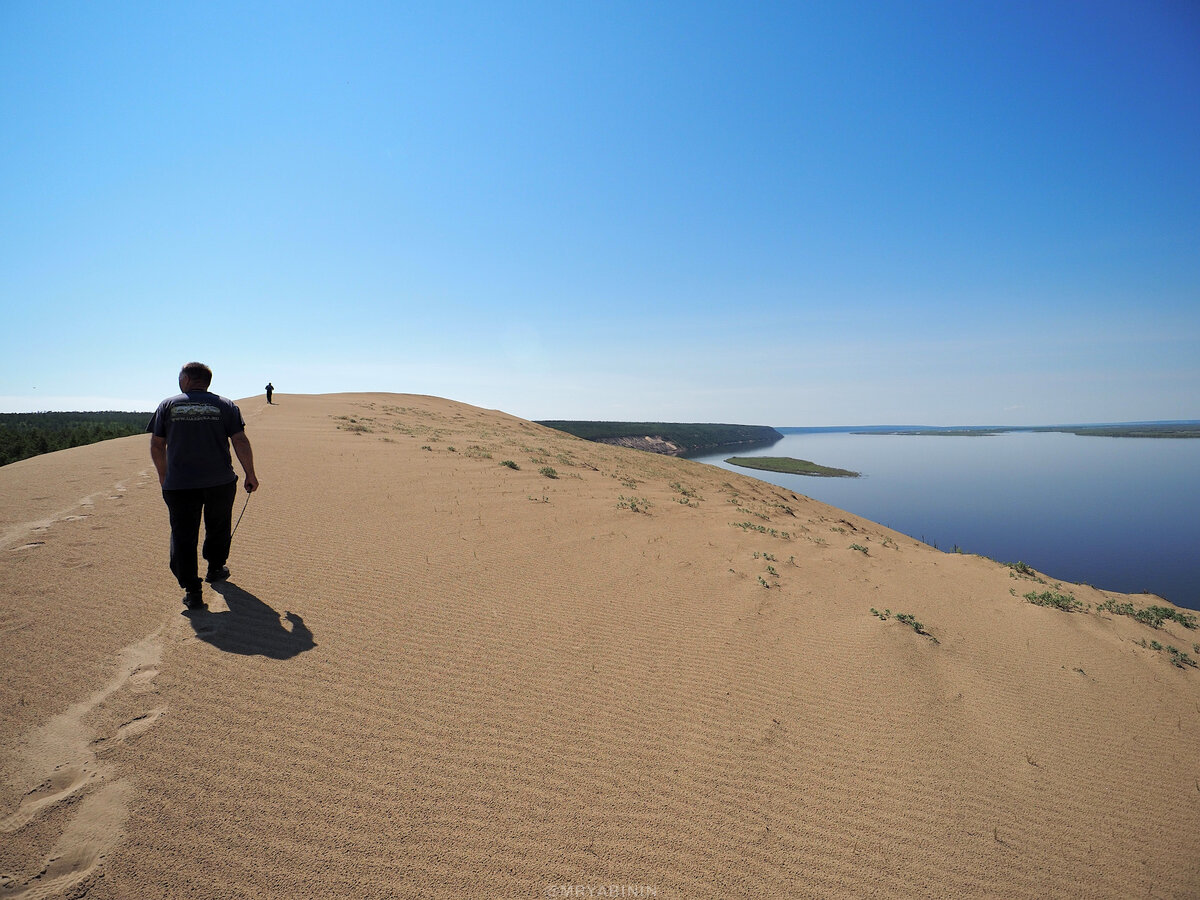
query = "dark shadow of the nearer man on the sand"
{"x": 250, "y": 627}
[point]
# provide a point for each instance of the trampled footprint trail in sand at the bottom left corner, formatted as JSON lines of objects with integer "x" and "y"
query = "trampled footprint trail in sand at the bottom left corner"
{"x": 61, "y": 765}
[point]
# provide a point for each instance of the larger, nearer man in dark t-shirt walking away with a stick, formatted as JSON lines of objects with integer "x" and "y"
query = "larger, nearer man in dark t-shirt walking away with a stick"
{"x": 190, "y": 442}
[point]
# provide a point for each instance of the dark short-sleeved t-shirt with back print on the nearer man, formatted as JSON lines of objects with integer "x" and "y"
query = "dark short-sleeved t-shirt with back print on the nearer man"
{"x": 197, "y": 427}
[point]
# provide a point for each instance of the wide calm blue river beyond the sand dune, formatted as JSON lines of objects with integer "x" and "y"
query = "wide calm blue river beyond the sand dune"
{"x": 1120, "y": 514}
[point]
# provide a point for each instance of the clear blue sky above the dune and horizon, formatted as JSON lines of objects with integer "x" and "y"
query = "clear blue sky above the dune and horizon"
{"x": 791, "y": 214}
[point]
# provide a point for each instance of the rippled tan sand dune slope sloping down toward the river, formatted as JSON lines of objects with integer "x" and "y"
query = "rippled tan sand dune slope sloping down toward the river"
{"x": 435, "y": 676}
